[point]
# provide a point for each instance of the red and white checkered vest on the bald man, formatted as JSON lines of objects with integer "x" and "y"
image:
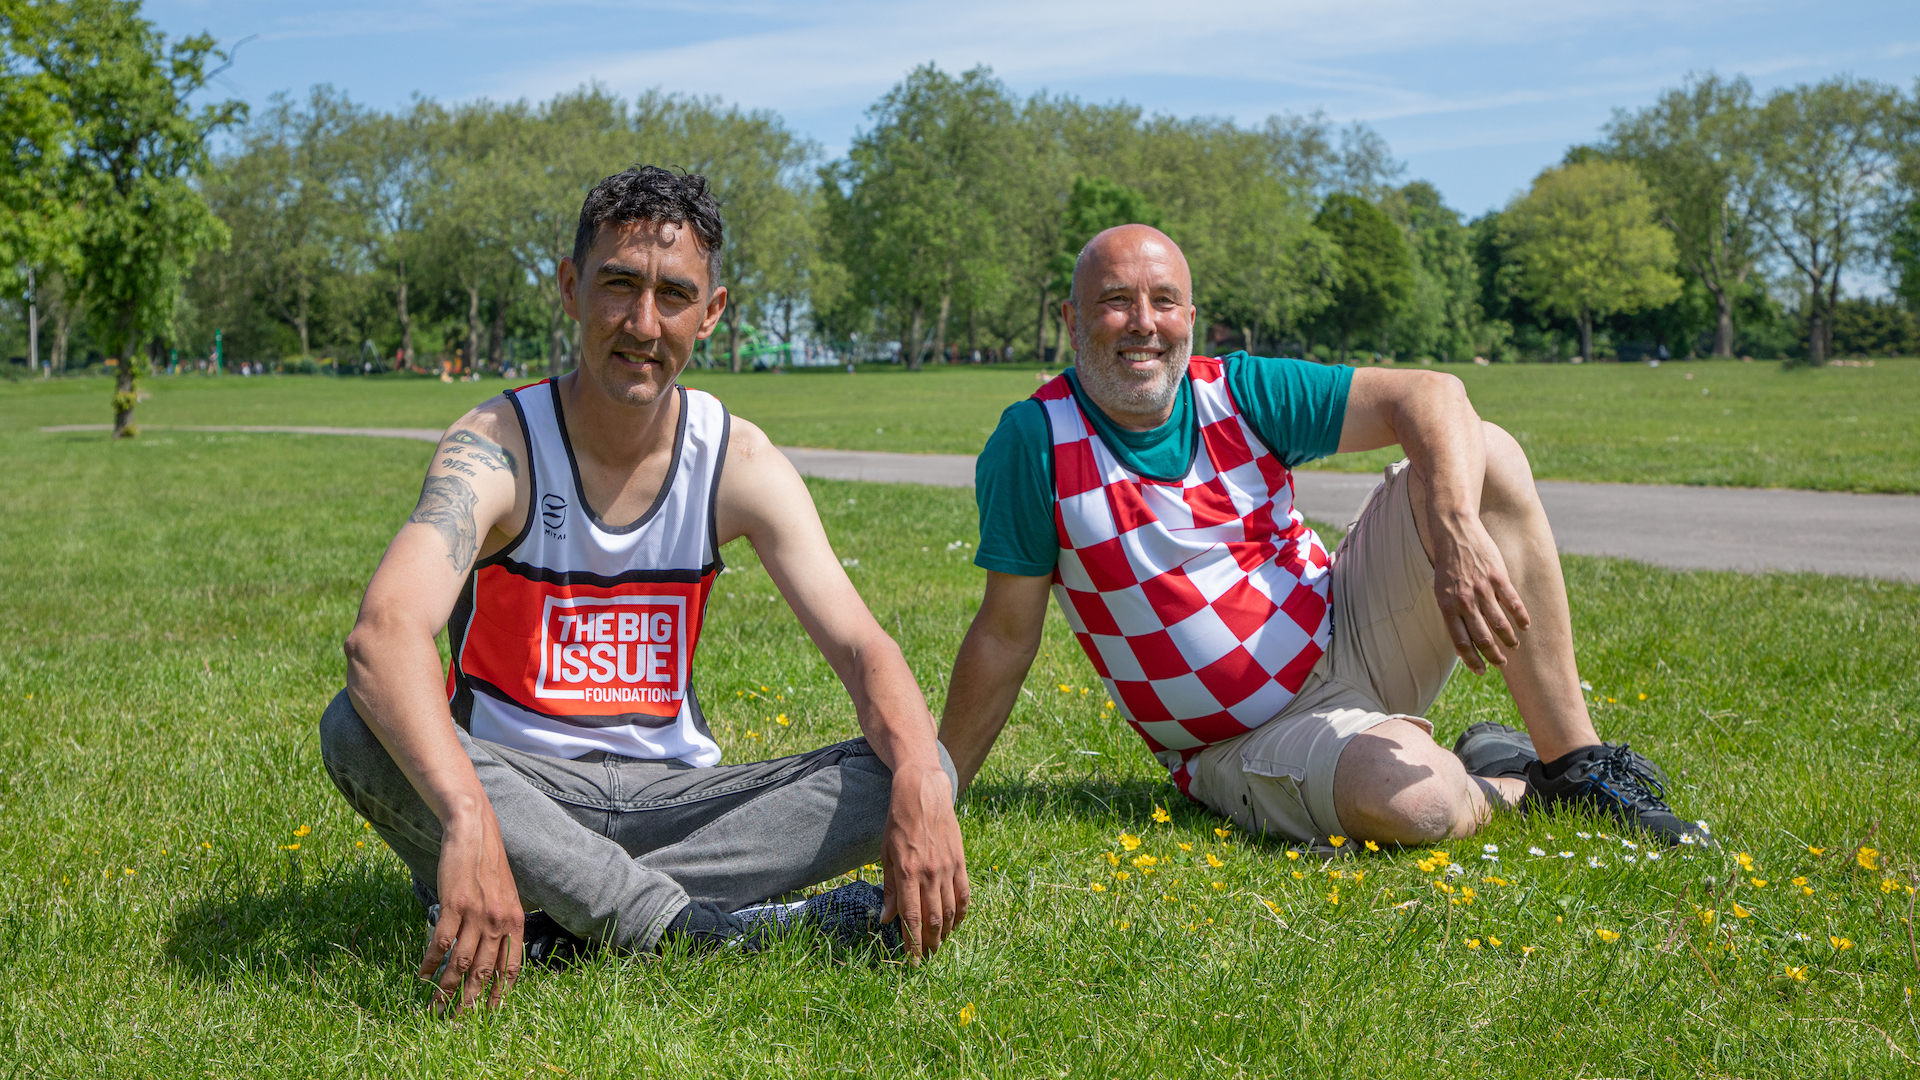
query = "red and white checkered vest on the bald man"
{"x": 1203, "y": 602}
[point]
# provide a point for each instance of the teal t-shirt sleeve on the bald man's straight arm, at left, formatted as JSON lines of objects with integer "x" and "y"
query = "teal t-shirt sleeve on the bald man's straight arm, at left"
{"x": 1015, "y": 489}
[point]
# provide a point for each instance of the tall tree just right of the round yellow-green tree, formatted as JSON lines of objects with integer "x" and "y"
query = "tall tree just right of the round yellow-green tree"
{"x": 1698, "y": 149}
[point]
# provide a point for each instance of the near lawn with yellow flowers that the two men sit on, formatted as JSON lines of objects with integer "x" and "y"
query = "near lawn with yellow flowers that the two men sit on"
{"x": 170, "y": 624}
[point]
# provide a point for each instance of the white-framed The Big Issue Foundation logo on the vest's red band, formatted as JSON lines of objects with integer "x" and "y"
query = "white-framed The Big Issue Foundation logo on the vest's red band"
{"x": 615, "y": 649}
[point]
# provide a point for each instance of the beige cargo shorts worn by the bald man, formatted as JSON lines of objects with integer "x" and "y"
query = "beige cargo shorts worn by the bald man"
{"x": 1389, "y": 660}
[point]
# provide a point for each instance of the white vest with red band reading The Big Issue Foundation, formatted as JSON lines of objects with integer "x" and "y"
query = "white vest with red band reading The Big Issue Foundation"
{"x": 581, "y": 635}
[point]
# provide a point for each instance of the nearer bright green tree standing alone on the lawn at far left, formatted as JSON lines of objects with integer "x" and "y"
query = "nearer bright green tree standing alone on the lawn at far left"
{"x": 137, "y": 147}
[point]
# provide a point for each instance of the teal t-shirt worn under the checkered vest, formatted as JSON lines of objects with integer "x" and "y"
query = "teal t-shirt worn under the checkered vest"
{"x": 1297, "y": 408}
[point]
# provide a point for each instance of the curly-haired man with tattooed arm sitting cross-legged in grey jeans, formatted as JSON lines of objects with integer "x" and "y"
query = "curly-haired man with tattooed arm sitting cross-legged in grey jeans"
{"x": 567, "y": 537}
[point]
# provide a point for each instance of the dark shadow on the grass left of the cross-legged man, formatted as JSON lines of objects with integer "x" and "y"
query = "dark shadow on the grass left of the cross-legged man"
{"x": 343, "y": 933}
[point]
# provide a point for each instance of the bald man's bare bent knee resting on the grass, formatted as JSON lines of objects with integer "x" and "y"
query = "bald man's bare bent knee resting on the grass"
{"x": 1397, "y": 785}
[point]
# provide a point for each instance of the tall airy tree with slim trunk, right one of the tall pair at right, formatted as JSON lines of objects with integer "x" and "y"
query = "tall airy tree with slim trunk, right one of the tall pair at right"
{"x": 1833, "y": 157}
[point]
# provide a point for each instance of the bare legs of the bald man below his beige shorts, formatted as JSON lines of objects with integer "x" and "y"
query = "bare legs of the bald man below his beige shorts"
{"x": 1395, "y": 783}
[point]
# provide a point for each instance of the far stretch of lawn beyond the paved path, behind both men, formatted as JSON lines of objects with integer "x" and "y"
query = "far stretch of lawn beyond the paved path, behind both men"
{"x": 1846, "y": 430}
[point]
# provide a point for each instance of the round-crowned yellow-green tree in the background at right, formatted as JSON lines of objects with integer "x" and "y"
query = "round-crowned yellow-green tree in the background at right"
{"x": 1587, "y": 243}
